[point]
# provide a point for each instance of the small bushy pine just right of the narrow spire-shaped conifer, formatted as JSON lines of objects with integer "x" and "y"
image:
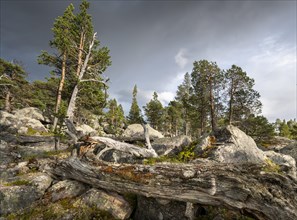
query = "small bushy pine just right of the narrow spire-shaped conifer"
{"x": 154, "y": 112}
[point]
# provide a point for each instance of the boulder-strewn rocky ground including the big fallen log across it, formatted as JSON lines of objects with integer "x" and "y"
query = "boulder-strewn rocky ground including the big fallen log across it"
{"x": 225, "y": 176}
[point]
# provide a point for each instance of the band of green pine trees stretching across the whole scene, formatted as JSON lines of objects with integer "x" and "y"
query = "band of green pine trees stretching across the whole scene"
{"x": 208, "y": 97}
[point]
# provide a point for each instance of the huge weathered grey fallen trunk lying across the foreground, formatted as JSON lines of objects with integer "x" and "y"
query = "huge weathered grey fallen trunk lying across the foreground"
{"x": 242, "y": 187}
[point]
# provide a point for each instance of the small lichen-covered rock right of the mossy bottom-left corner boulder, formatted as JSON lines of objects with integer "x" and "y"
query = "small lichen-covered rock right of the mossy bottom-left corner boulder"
{"x": 66, "y": 189}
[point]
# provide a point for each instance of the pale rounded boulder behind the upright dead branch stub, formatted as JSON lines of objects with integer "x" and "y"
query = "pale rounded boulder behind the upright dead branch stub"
{"x": 136, "y": 131}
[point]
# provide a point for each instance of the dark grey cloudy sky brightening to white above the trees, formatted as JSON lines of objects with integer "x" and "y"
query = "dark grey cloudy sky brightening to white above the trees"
{"x": 154, "y": 43}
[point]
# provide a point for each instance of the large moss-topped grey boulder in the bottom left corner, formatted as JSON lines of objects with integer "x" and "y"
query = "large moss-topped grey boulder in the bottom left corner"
{"x": 22, "y": 192}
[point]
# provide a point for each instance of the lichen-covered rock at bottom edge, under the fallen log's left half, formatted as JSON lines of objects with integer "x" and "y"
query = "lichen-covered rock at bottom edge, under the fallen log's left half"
{"x": 110, "y": 202}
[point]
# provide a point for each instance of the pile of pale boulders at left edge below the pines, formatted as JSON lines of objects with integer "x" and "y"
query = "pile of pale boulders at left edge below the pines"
{"x": 20, "y": 123}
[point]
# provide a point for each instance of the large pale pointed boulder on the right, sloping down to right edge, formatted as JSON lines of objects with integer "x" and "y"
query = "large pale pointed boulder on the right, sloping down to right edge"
{"x": 231, "y": 145}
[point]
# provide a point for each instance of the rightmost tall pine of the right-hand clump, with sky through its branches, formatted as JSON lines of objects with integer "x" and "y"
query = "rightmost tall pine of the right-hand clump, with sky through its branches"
{"x": 243, "y": 100}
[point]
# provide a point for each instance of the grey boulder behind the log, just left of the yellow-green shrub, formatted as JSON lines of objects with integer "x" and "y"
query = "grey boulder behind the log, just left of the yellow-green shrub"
{"x": 171, "y": 146}
